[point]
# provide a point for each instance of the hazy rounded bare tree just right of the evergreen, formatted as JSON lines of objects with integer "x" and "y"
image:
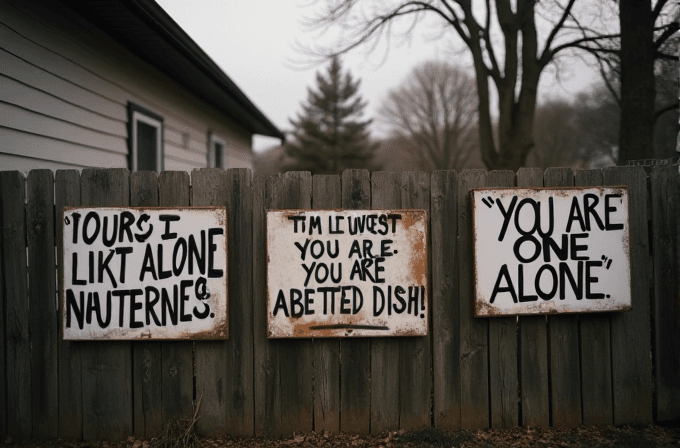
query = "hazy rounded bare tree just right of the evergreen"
{"x": 436, "y": 110}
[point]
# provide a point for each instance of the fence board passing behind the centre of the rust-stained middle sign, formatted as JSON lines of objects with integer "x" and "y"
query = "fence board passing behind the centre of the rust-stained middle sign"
{"x": 355, "y": 354}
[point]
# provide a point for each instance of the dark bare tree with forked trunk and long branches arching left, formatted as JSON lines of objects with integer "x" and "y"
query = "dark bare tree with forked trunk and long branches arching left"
{"x": 513, "y": 70}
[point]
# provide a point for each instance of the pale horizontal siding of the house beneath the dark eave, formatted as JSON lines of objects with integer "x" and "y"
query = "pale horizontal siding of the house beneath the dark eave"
{"x": 64, "y": 90}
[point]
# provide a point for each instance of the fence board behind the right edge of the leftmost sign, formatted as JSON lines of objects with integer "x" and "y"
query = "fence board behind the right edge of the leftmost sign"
{"x": 209, "y": 189}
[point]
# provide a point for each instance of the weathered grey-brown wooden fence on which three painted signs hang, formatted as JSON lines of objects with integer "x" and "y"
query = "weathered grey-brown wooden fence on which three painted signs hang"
{"x": 469, "y": 373}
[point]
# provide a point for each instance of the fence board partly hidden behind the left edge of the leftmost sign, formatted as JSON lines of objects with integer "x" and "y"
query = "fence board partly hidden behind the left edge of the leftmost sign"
{"x": 67, "y": 193}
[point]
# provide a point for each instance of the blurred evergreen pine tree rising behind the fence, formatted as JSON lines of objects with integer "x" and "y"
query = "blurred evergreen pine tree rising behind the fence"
{"x": 329, "y": 134}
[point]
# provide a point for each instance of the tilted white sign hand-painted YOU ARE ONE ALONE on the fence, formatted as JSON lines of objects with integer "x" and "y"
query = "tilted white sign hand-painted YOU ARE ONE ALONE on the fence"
{"x": 546, "y": 251}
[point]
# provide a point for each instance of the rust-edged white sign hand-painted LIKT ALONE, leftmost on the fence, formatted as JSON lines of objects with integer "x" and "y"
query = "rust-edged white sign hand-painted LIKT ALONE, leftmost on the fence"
{"x": 135, "y": 273}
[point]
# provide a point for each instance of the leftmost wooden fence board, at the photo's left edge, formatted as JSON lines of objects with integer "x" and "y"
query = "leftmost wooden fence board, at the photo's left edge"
{"x": 18, "y": 370}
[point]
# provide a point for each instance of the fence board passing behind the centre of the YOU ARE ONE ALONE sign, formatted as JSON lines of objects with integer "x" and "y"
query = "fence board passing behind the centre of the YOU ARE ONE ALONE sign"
{"x": 565, "y": 380}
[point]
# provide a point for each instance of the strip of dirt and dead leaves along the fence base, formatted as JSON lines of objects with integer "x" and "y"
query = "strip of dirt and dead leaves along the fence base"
{"x": 583, "y": 437}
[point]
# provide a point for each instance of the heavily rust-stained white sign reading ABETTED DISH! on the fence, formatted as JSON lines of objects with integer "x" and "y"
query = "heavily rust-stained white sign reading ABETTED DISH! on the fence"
{"x": 346, "y": 273}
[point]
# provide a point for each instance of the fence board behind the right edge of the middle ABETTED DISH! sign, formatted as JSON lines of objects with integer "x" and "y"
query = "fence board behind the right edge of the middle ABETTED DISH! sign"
{"x": 415, "y": 374}
